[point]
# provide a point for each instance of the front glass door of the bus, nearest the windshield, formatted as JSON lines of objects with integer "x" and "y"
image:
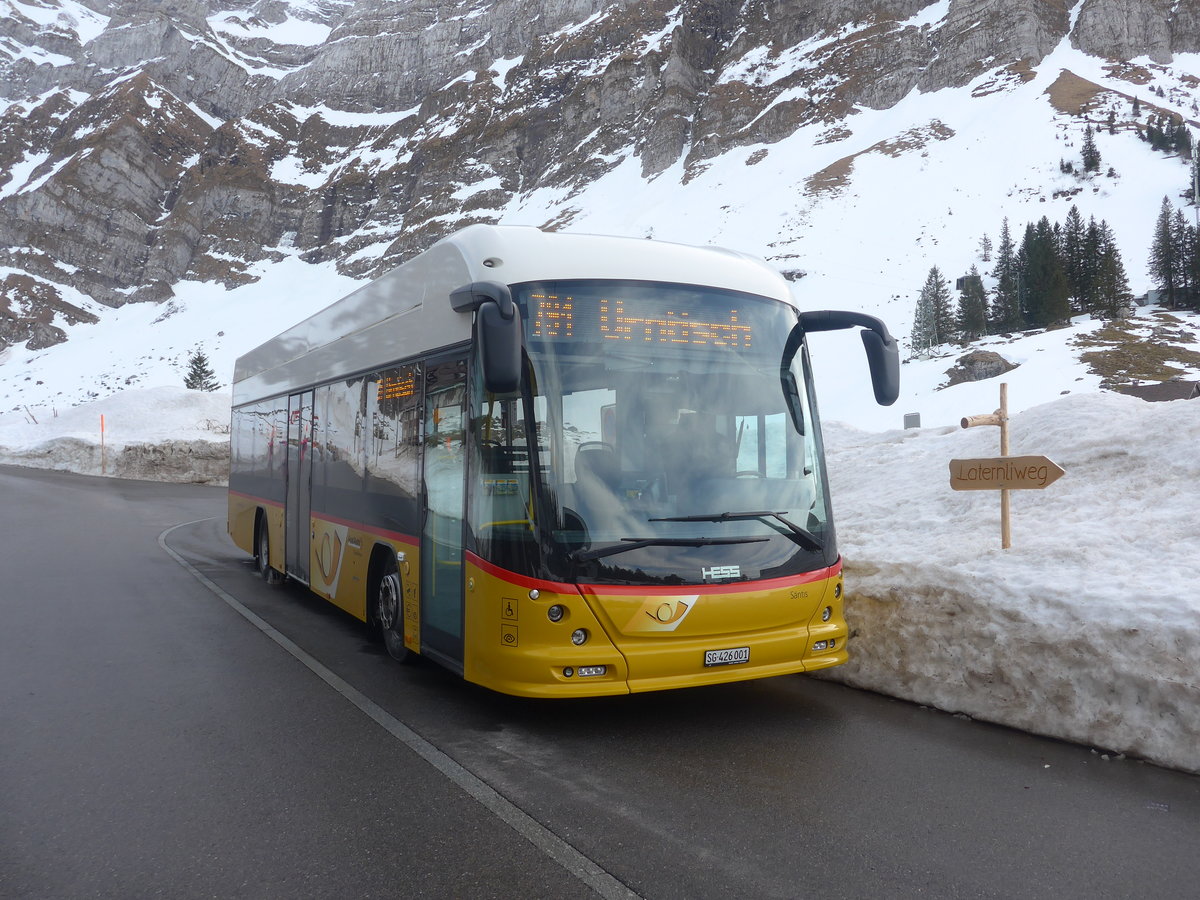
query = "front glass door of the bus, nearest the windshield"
{"x": 445, "y": 476}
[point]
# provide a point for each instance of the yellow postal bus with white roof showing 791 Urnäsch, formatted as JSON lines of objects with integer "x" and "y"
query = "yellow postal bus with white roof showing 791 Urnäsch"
{"x": 557, "y": 465}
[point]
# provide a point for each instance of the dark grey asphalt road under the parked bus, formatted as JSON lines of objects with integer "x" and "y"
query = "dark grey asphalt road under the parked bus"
{"x": 161, "y": 736}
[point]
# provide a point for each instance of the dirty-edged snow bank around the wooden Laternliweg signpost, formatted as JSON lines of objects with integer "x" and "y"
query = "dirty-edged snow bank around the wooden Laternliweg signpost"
{"x": 1088, "y": 629}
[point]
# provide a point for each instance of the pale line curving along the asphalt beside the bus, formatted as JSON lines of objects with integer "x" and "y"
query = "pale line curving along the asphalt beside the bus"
{"x": 577, "y": 863}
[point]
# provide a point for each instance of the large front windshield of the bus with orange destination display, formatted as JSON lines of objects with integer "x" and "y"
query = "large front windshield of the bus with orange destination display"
{"x": 668, "y": 448}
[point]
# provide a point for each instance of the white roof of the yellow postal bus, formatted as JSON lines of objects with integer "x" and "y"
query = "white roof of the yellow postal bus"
{"x": 407, "y": 311}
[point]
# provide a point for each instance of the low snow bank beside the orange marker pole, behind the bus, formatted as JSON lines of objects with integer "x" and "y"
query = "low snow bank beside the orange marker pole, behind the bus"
{"x": 161, "y": 434}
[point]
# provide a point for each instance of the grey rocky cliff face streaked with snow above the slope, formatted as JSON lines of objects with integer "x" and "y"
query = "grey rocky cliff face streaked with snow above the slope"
{"x": 145, "y": 142}
